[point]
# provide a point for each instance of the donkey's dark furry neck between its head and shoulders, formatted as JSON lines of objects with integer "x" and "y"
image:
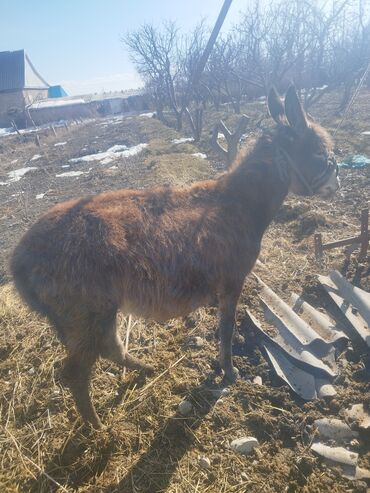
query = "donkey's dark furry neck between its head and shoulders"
{"x": 257, "y": 185}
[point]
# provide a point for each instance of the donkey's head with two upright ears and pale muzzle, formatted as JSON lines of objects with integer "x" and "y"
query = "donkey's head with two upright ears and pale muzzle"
{"x": 303, "y": 148}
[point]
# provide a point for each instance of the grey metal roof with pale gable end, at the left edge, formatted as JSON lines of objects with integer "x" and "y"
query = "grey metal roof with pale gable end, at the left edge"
{"x": 17, "y": 72}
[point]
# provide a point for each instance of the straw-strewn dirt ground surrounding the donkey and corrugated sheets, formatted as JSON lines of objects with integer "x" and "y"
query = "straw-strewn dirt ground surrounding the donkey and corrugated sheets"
{"x": 146, "y": 446}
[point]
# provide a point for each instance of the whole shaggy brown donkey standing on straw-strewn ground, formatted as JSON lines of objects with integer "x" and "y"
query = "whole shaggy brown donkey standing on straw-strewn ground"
{"x": 162, "y": 253}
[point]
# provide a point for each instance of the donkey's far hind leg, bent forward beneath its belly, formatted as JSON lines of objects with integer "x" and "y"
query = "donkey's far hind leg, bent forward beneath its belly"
{"x": 111, "y": 348}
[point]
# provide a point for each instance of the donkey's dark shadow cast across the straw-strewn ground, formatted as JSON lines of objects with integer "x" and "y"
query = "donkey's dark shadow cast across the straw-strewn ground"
{"x": 153, "y": 471}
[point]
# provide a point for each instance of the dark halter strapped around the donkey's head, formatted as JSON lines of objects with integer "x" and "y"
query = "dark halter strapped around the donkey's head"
{"x": 283, "y": 161}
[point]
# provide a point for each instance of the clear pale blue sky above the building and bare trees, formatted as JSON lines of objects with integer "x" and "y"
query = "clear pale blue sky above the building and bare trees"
{"x": 77, "y": 43}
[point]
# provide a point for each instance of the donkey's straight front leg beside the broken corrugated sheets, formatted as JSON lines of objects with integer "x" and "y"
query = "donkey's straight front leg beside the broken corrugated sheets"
{"x": 227, "y": 307}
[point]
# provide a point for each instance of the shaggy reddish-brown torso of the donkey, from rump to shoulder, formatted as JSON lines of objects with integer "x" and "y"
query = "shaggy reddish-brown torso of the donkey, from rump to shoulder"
{"x": 158, "y": 254}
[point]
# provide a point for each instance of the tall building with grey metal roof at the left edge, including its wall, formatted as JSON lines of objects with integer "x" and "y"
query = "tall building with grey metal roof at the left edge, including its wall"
{"x": 20, "y": 86}
